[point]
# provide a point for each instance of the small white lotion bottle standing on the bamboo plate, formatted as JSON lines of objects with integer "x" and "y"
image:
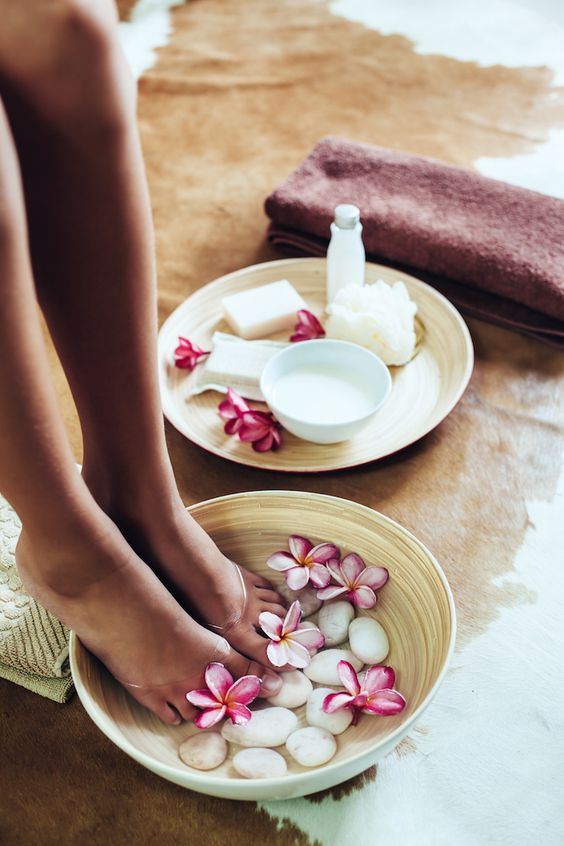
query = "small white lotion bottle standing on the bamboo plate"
{"x": 345, "y": 255}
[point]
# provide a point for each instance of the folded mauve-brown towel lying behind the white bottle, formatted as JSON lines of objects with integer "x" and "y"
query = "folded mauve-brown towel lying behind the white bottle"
{"x": 495, "y": 250}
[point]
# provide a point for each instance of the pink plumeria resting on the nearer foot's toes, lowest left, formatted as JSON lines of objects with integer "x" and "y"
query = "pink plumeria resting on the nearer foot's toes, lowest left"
{"x": 223, "y": 697}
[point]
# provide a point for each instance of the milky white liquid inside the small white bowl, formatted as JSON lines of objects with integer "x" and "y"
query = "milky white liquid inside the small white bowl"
{"x": 319, "y": 393}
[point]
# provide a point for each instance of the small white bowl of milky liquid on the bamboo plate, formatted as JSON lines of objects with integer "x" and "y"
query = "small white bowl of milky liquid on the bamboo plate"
{"x": 325, "y": 415}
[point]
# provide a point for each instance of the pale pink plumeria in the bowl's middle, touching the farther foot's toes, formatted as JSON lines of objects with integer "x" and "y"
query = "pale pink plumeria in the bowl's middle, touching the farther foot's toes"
{"x": 290, "y": 641}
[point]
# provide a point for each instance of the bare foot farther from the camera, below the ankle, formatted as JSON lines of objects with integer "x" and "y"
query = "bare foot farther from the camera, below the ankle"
{"x": 225, "y": 597}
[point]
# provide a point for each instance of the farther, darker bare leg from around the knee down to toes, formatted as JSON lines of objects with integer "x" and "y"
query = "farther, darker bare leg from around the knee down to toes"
{"x": 92, "y": 248}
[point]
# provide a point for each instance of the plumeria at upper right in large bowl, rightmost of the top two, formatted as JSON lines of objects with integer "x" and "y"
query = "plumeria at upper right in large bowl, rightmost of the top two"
{"x": 354, "y": 581}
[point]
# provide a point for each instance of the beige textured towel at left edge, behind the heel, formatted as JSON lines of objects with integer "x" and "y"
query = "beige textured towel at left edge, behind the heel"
{"x": 33, "y": 644}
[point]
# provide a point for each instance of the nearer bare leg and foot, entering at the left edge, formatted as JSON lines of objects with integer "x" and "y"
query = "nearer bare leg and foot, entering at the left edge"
{"x": 71, "y": 556}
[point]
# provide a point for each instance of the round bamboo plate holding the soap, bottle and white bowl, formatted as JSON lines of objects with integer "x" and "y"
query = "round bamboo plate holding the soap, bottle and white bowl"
{"x": 423, "y": 392}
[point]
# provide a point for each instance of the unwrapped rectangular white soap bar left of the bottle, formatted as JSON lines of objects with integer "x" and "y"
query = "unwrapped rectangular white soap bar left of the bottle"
{"x": 262, "y": 311}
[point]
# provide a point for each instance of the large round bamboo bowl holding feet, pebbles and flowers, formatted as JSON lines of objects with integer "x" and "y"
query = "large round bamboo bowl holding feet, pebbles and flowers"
{"x": 415, "y": 607}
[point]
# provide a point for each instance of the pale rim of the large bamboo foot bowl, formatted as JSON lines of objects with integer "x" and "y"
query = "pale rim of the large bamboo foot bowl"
{"x": 199, "y": 780}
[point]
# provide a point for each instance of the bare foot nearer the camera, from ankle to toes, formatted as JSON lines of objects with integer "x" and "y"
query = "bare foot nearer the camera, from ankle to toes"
{"x": 121, "y": 612}
